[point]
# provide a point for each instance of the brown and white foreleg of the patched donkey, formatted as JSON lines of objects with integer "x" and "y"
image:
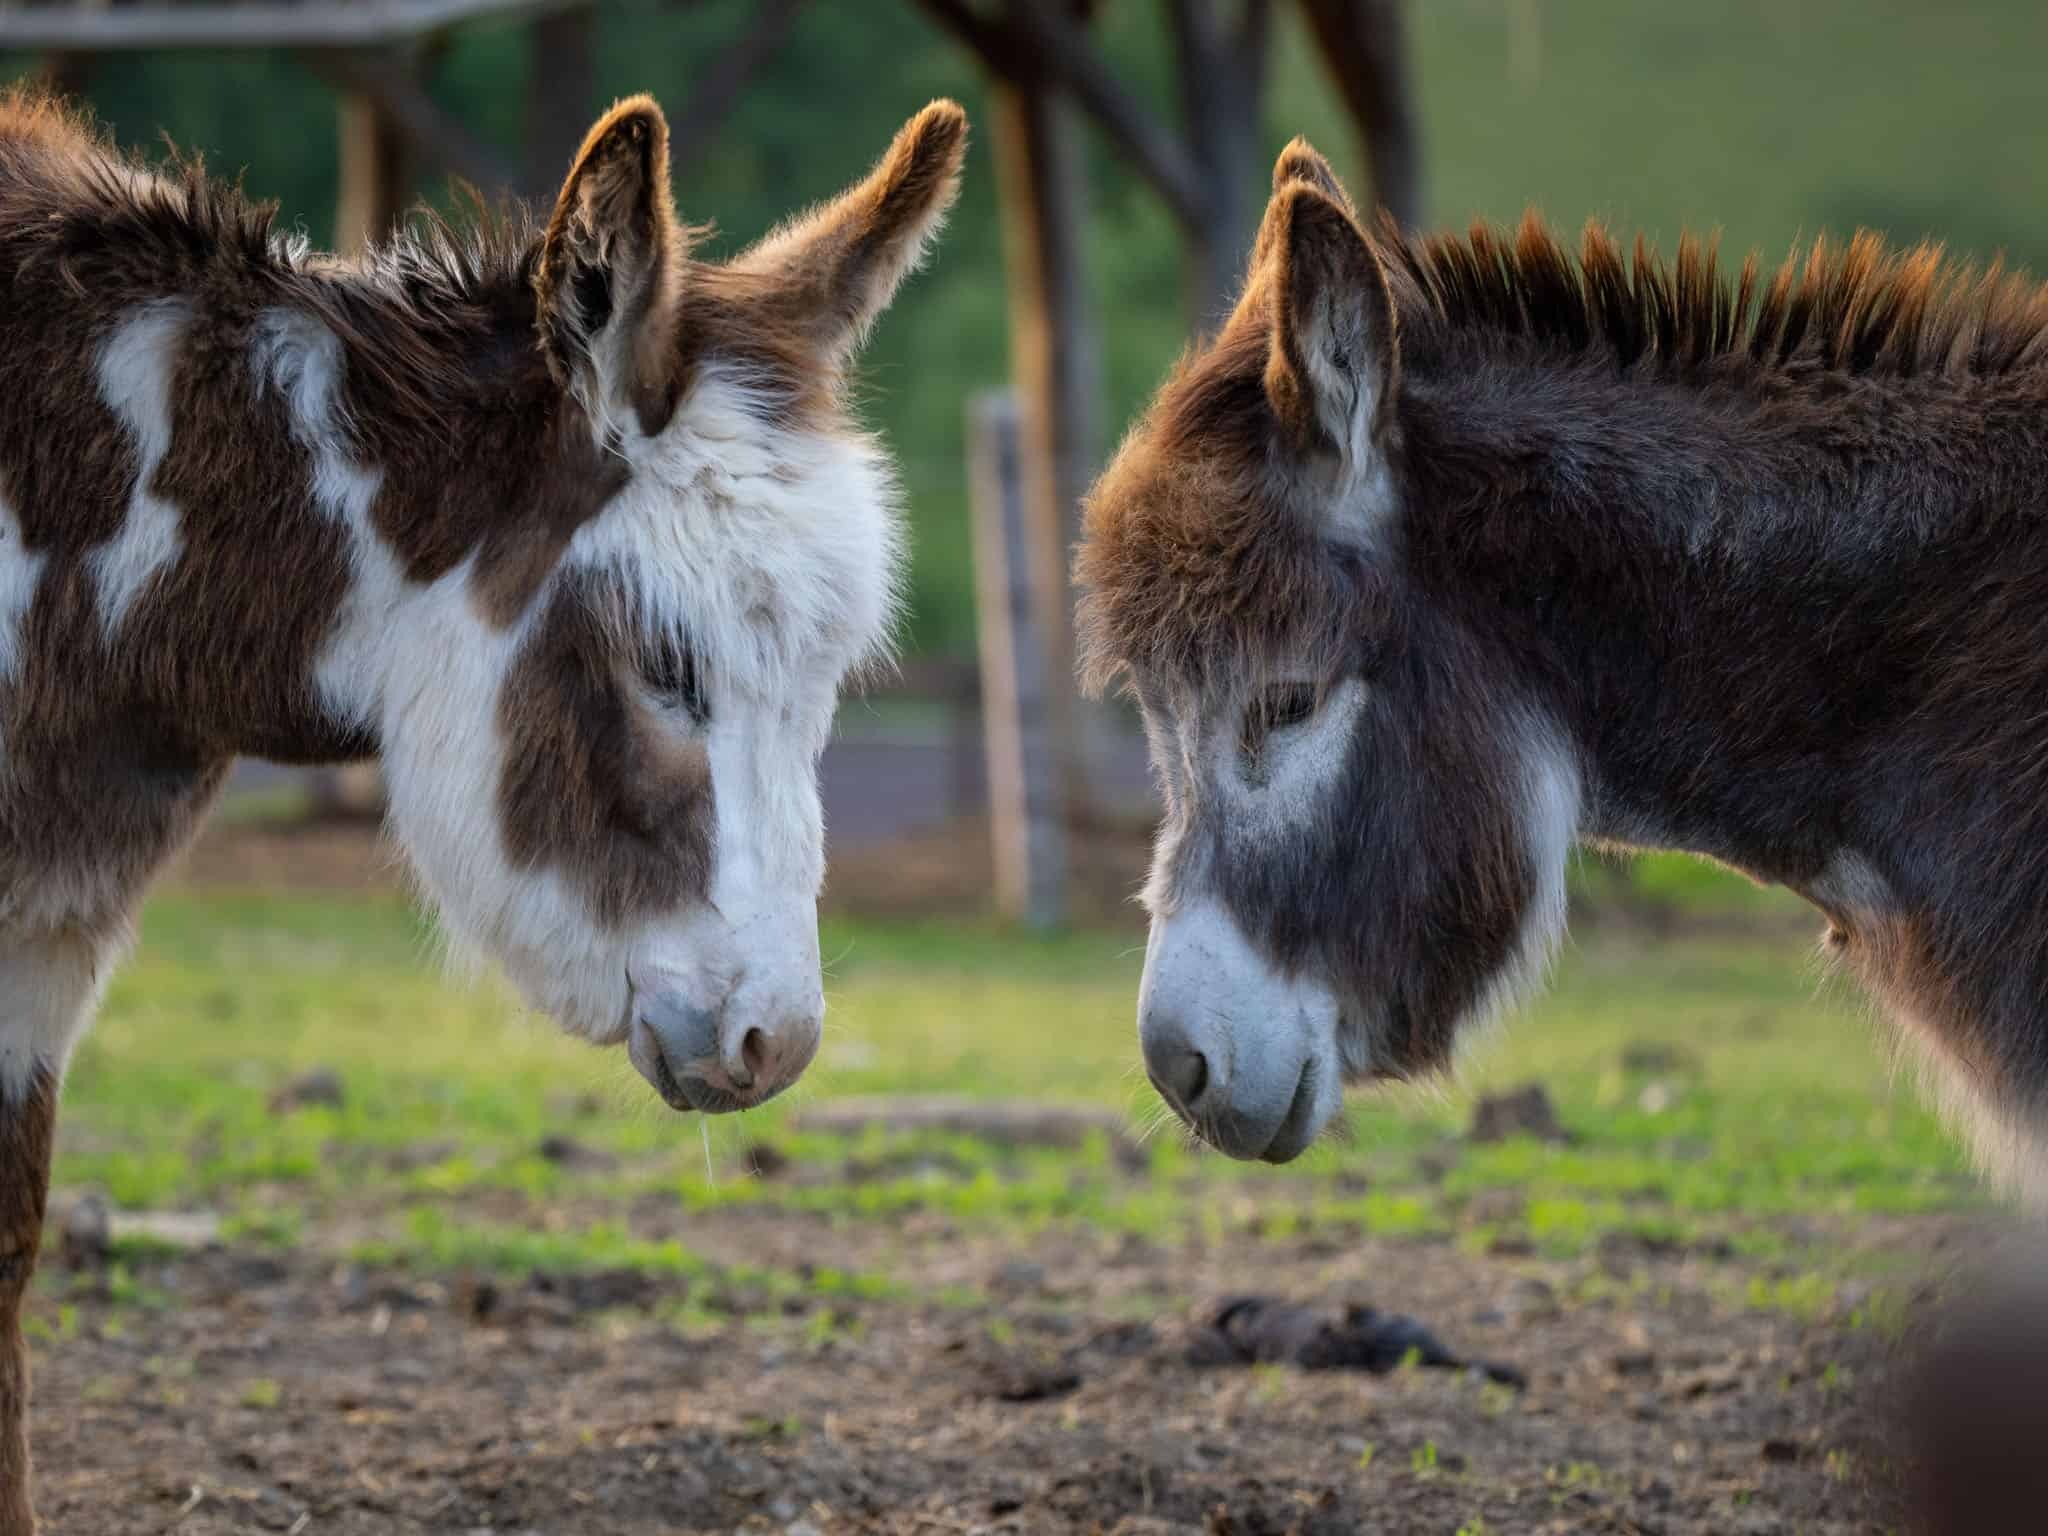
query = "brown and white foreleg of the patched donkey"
{"x": 46, "y": 996}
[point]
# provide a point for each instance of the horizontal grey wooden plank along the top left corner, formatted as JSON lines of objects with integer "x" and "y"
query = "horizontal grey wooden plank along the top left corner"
{"x": 361, "y": 24}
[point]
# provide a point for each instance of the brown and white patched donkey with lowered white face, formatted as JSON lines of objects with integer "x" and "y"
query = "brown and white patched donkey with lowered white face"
{"x": 566, "y": 527}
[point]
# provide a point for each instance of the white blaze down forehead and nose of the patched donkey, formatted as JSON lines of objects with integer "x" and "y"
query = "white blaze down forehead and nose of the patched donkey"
{"x": 775, "y": 558}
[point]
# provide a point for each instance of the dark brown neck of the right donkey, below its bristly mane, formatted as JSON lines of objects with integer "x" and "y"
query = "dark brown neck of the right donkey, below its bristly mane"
{"x": 1738, "y": 593}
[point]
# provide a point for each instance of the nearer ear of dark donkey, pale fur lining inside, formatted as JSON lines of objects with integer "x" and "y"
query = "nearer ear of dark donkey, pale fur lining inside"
{"x": 1334, "y": 359}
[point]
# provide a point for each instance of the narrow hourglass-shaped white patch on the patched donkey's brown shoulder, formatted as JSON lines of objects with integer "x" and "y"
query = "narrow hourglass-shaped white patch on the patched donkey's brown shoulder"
{"x": 136, "y": 370}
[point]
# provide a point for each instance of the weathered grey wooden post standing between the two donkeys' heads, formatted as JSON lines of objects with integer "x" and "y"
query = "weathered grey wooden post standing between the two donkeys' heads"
{"x": 1019, "y": 681}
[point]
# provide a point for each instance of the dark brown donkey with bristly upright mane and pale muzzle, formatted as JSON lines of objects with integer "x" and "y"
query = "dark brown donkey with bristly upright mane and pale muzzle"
{"x": 1455, "y": 552}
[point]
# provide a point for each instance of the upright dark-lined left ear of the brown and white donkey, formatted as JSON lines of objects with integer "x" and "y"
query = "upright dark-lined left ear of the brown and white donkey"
{"x": 611, "y": 271}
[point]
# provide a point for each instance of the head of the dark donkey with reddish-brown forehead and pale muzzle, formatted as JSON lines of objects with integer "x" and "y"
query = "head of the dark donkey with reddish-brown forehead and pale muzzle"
{"x": 1365, "y": 826}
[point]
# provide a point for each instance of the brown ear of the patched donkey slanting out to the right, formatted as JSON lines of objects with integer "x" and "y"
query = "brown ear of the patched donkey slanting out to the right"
{"x": 835, "y": 269}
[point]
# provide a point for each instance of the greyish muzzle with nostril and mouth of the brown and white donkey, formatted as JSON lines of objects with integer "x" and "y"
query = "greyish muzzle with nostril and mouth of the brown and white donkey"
{"x": 720, "y": 1060}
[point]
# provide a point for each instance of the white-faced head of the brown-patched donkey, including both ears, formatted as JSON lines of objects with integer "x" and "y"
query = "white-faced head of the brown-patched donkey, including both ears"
{"x": 609, "y": 777}
